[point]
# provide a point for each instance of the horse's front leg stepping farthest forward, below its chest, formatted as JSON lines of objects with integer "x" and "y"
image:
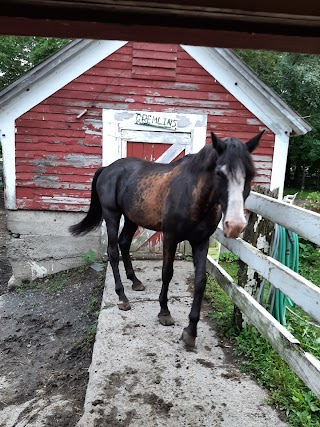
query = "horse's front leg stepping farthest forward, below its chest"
{"x": 199, "y": 253}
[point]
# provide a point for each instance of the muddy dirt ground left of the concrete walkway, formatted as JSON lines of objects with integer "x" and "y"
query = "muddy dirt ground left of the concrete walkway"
{"x": 47, "y": 333}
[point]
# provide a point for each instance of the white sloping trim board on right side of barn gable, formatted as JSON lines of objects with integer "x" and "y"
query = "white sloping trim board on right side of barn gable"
{"x": 241, "y": 88}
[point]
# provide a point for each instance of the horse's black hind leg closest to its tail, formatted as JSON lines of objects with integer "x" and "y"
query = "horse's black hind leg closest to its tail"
{"x": 112, "y": 221}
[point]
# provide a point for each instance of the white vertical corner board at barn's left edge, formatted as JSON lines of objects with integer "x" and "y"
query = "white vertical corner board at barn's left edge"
{"x": 7, "y": 129}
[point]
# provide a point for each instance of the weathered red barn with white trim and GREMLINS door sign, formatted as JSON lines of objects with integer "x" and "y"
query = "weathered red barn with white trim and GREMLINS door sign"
{"x": 95, "y": 101}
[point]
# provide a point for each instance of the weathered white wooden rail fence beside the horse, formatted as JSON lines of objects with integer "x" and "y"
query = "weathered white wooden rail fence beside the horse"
{"x": 301, "y": 291}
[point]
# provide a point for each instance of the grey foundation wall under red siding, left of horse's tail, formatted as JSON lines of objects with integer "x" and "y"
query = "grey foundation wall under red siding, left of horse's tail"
{"x": 40, "y": 244}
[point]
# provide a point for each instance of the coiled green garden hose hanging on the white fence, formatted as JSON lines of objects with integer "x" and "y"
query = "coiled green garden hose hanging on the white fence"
{"x": 285, "y": 249}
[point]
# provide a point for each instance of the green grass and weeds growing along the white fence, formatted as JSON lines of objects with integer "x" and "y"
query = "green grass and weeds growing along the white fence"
{"x": 286, "y": 391}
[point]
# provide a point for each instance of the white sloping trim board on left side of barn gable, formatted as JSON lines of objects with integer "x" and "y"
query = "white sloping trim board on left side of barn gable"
{"x": 60, "y": 75}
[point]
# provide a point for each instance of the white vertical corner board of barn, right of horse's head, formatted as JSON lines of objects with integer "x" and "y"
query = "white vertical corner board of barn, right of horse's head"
{"x": 279, "y": 163}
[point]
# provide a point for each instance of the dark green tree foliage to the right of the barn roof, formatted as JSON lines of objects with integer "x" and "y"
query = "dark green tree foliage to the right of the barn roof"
{"x": 296, "y": 78}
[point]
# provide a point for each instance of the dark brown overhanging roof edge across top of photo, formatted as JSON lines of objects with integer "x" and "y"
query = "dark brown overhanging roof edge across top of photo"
{"x": 266, "y": 24}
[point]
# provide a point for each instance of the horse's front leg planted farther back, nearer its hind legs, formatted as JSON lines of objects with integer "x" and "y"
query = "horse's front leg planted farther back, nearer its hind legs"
{"x": 169, "y": 250}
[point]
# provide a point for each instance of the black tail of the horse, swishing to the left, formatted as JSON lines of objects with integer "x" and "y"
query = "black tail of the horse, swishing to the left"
{"x": 94, "y": 216}
